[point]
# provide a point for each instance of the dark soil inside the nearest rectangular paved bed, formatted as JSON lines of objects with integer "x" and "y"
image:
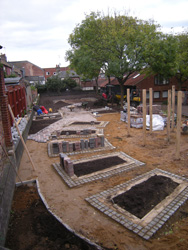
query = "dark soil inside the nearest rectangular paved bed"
{"x": 141, "y": 198}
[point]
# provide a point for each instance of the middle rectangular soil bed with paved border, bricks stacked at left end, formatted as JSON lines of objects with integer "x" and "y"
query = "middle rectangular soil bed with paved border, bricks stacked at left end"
{"x": 97, "y": 167}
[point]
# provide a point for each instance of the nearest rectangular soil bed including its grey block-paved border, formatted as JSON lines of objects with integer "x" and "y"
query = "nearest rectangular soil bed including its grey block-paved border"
{"x": 145, "y": 203}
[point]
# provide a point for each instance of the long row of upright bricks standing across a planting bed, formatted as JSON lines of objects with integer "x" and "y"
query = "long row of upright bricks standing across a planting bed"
{"x": 67, "y": 147}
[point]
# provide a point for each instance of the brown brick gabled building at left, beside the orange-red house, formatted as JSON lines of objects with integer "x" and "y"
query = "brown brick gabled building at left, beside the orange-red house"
{"x": 31, "y": 72}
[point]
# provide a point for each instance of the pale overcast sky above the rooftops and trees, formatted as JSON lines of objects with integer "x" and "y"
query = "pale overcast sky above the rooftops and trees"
{"x": 38, "y": 30}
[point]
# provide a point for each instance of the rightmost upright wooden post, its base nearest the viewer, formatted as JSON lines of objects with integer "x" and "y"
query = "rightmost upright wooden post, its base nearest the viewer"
{"x": 178, "y": 132}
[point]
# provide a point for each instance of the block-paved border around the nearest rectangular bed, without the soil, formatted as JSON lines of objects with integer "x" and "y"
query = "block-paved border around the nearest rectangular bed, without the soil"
{"x": 156, "y": 218}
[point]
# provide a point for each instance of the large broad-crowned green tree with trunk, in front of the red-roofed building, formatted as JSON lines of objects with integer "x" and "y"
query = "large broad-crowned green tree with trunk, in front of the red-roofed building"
{"x": 121, "y": 45}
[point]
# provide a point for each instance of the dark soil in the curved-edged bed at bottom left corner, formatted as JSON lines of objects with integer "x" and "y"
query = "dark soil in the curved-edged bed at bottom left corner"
{"x": 33, "y": 227}
